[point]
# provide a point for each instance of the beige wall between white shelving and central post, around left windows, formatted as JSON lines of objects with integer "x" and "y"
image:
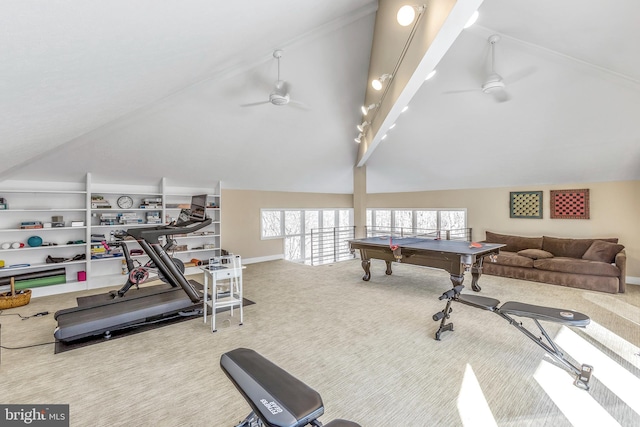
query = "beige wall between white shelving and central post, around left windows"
{"x": 241, "y": 217}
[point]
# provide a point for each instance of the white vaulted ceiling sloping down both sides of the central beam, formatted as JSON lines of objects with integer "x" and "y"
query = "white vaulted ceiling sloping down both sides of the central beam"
{"x": 133, "y": 91}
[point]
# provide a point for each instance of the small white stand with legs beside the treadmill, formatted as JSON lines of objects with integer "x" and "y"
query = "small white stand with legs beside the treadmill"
{"x": 227, "y": 277}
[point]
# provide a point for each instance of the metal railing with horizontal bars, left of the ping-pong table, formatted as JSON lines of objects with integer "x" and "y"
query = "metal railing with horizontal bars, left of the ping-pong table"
{"x": 331, "y": 244}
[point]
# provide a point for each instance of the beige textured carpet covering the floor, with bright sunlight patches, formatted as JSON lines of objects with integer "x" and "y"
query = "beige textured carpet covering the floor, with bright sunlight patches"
{"x": 367, "y": 347}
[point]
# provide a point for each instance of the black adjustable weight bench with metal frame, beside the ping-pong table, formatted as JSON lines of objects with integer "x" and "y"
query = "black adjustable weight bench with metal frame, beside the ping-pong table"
{"x": 534, "y": 312}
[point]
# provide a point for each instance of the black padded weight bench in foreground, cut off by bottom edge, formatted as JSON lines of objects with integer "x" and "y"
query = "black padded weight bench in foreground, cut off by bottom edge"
{"x": 277, "y": 398}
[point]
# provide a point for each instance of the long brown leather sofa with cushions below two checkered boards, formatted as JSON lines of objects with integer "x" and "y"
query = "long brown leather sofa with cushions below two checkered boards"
{"x": 593, "y": 264}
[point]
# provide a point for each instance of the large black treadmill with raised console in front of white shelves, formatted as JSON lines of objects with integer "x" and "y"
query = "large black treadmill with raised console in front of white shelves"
{"x": 148, "y": 304}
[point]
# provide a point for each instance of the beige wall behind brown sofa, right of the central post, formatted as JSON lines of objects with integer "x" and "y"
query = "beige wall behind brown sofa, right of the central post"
{"x": 614, "y": 212}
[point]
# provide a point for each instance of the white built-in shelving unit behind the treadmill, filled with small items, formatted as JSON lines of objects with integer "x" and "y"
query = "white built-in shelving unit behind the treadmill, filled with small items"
{"x": 40, "y": 202}
